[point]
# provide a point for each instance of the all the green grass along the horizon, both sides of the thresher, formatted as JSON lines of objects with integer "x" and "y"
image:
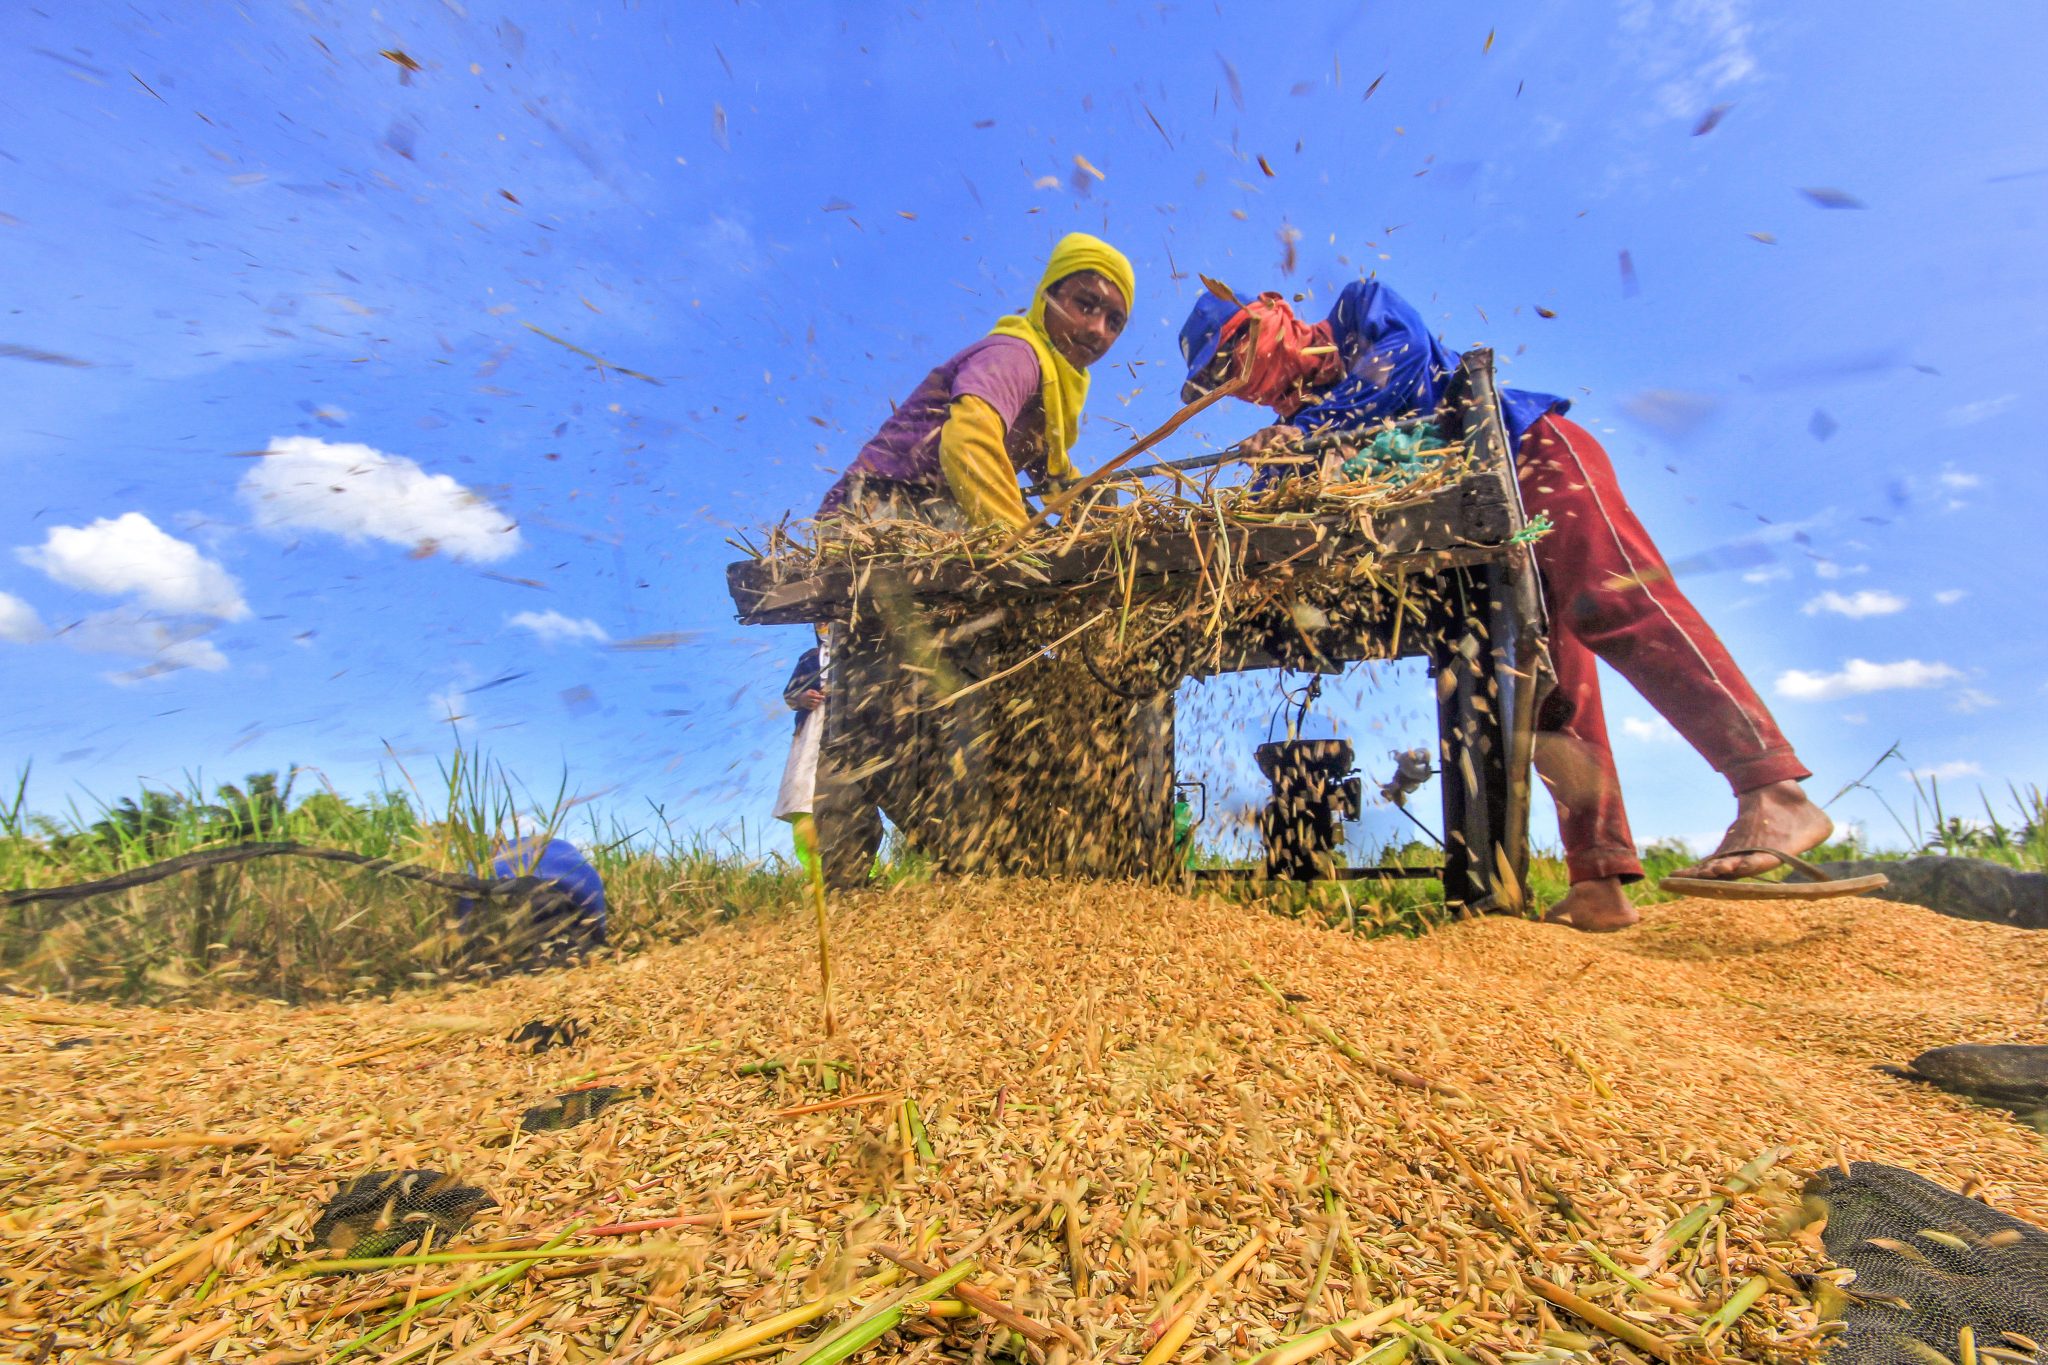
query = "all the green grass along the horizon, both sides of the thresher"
{"x": 300, "y": 930}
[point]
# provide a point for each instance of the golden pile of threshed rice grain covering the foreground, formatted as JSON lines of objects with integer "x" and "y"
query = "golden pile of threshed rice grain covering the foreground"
{"x": 1113, "y": 1100}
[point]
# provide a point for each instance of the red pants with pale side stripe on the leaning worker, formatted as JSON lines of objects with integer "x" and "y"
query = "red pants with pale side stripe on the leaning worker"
{"x": 1611, "y": 597}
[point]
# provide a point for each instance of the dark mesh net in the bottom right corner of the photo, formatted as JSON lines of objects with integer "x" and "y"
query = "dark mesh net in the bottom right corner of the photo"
{"x": 1928, "y": 1264}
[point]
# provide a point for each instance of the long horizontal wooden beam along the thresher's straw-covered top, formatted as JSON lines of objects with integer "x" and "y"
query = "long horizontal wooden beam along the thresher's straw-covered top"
{"x": 1467, "y": 523}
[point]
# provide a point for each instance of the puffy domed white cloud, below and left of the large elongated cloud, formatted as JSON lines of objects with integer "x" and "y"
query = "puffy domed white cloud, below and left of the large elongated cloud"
{"x": 132, "y": 556}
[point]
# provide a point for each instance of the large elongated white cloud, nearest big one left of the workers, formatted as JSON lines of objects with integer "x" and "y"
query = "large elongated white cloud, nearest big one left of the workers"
{"x": 364, "y": 494}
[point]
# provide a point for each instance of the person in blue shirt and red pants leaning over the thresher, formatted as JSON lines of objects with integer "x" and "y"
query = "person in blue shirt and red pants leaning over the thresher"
{"x": 1609, "y": 590}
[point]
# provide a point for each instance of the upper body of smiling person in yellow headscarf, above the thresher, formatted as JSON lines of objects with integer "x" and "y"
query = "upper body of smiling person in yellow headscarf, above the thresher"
{"x": 1007, "y": 406}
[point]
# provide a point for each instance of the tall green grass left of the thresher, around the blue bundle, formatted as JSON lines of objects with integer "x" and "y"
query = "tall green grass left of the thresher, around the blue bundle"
{"x": 298, "y": 930}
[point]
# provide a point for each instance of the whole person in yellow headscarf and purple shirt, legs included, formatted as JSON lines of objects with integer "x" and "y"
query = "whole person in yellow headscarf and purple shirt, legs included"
{"x": 951, "y": 455}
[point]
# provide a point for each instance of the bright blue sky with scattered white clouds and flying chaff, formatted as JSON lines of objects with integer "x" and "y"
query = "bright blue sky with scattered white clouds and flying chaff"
{"x": 241, "y": 230}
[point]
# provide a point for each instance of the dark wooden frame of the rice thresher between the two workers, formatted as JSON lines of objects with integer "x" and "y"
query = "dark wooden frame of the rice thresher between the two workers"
{"x": 1482, "y": 633}
